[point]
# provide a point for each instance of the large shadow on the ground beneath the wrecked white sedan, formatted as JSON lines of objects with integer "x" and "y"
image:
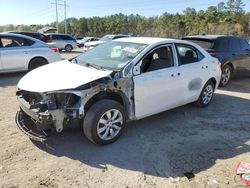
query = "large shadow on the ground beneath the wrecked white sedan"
{"x": 183, "y": 140}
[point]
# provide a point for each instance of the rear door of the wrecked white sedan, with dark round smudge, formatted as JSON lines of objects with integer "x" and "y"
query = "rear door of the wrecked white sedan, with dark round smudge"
{"x": 194, "y": 71}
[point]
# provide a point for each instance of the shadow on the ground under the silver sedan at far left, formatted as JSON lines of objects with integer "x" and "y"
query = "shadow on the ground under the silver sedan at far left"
{"x": 10, "y": 79}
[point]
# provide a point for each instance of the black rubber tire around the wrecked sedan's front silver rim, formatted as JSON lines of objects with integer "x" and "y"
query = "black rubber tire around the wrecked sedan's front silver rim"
{"x": 95, "y": 114}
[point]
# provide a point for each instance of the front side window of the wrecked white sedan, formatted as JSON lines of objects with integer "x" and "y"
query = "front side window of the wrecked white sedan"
{"x": 159, "y": 58}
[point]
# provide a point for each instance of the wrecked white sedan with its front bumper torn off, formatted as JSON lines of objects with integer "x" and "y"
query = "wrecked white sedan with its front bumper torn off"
{"x": 119, "y": 81}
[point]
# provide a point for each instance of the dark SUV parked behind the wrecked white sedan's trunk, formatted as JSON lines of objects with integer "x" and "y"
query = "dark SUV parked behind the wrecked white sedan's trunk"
{"x": 233, "y": 52}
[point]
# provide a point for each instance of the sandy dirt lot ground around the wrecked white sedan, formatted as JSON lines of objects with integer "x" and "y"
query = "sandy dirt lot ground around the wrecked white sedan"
{"x": 159, "y": 151}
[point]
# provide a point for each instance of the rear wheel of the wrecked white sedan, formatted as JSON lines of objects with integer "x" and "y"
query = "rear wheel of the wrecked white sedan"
{"x": 201, "y": 102}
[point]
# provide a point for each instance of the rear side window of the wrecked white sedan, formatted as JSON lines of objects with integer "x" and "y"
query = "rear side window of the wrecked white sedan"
{"x": 188, "y": 54}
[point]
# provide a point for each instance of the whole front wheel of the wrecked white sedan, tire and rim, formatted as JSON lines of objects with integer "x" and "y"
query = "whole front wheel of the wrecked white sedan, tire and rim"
{"x": 103, "y": 123}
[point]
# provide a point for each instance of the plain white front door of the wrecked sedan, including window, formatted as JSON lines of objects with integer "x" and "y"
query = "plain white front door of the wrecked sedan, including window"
{"x": 157, "y": 87}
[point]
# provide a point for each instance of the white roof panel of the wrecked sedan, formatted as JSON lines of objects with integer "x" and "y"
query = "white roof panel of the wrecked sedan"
{"x": 148, "y": 40}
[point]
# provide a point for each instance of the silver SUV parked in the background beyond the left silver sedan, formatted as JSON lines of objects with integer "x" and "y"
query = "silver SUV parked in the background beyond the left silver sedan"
{"x": 62, "y": 41}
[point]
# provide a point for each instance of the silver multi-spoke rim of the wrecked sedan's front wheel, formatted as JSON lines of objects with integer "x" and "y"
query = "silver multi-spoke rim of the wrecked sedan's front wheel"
{"x": 109, "y": 125}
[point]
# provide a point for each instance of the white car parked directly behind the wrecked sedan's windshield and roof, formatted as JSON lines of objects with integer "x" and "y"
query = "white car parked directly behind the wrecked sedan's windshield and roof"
{"x": 106, "y": 38}
